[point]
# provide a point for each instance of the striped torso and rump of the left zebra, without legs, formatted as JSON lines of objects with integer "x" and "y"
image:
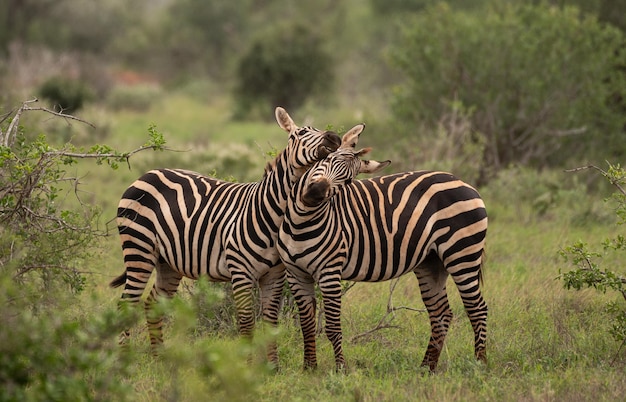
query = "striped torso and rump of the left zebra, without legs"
{"x": 182, "y": 216}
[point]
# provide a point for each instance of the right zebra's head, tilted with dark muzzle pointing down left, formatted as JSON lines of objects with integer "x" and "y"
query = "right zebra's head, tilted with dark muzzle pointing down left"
{"x": 338, "y": 169}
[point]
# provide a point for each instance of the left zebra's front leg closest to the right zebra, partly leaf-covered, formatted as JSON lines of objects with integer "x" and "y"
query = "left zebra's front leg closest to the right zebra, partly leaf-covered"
{"x": 271, "y": 286}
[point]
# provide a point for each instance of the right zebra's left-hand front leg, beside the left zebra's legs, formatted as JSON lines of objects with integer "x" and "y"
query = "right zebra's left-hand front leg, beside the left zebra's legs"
{"x": 303, "y": 290}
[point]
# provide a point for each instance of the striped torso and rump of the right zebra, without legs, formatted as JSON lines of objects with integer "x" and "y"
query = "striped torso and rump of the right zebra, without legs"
{"x": 391, "y": 223}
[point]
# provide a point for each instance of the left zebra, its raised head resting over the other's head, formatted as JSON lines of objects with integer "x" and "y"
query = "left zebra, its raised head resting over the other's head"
{"x": 184, "y": 224}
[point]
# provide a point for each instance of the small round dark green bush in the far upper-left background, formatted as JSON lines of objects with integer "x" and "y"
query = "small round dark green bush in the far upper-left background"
{"x": 65, "y": 93}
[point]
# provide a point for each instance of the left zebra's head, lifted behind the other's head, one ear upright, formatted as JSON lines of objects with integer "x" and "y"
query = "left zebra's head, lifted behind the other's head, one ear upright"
{"x": 306, "y": 145}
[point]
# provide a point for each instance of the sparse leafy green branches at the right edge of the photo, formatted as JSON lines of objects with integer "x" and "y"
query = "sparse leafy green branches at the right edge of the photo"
{"x": 589, "y": 273}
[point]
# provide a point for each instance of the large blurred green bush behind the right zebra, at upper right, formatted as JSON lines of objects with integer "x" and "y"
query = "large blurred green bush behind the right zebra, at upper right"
{"x": 537, "y": 78}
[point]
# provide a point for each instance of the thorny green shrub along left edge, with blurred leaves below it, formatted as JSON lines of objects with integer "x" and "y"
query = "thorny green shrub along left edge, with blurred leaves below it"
{"x": 45, "y": 241}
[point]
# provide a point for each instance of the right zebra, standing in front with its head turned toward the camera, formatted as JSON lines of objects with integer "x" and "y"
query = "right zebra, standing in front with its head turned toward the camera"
{"x": 372, "y": 230}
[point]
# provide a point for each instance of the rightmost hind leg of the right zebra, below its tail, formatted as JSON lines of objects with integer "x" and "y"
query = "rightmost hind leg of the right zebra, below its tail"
{"x": 467, "y": 279}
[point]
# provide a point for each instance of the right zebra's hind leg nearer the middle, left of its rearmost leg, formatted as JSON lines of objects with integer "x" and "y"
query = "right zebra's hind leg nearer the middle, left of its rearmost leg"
{"x": 432, "y": 279}
